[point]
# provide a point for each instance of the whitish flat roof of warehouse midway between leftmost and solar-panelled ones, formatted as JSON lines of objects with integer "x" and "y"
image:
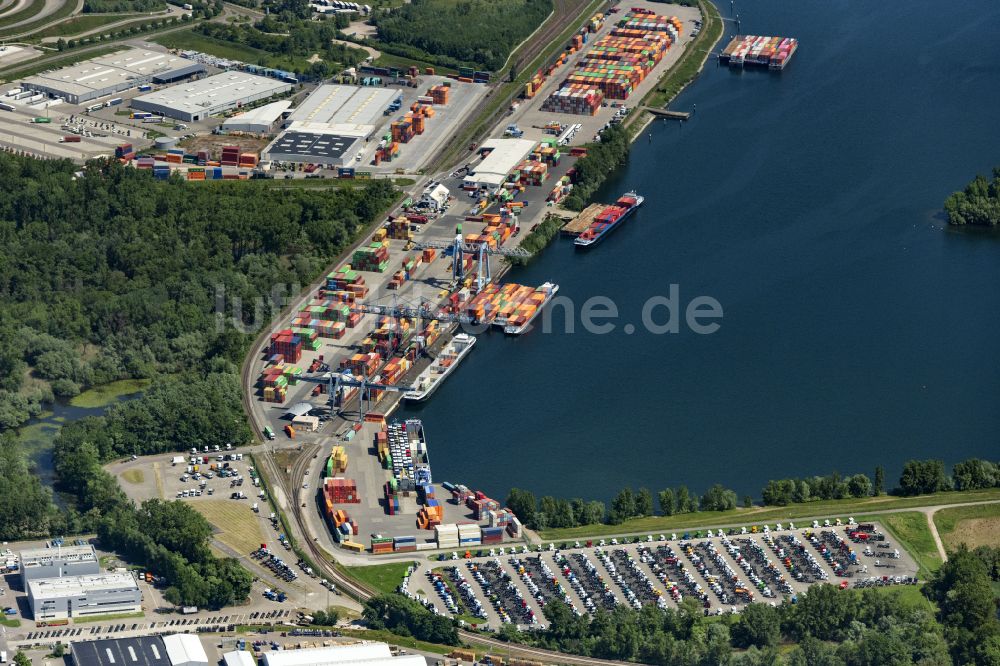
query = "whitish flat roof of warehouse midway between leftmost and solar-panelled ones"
{"x": 213, "y": 91}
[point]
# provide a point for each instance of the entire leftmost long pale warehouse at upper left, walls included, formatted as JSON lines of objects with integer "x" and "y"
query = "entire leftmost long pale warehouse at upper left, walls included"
{"x": 110, "y": 74}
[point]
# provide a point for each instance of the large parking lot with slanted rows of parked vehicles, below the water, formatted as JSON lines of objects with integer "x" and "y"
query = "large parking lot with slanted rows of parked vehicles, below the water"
{"x": 722, "y": 571}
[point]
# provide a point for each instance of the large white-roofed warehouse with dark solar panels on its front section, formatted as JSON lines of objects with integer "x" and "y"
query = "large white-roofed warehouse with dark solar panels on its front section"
{"x": 331, "y": 126}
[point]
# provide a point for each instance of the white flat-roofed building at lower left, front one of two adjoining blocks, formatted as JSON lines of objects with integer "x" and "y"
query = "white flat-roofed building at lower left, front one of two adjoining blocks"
{"x": 80, "y": 596}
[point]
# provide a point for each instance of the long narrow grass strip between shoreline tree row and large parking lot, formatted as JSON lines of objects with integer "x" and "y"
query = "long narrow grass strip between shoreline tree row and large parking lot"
{"x": 759, "y": 515}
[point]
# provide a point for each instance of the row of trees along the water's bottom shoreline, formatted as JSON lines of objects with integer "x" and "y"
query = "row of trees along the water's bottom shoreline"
{"x": 918, "y": 477}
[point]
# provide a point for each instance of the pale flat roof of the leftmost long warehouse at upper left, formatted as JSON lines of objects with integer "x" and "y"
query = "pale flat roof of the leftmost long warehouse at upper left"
{"x": 103, "y": 72}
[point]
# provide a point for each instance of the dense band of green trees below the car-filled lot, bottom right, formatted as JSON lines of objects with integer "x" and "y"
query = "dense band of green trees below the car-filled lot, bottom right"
{"x": 825, "y": 626}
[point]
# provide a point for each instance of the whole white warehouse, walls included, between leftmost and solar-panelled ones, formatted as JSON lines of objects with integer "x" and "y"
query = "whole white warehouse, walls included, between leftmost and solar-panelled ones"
{"x": 210, "y": 96}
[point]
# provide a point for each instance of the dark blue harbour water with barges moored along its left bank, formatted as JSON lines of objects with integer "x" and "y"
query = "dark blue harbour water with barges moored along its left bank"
{"x": 858, "y": 329}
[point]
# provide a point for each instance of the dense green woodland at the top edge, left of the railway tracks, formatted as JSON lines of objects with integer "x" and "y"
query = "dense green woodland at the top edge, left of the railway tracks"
{"x": 477, "y": 32}
